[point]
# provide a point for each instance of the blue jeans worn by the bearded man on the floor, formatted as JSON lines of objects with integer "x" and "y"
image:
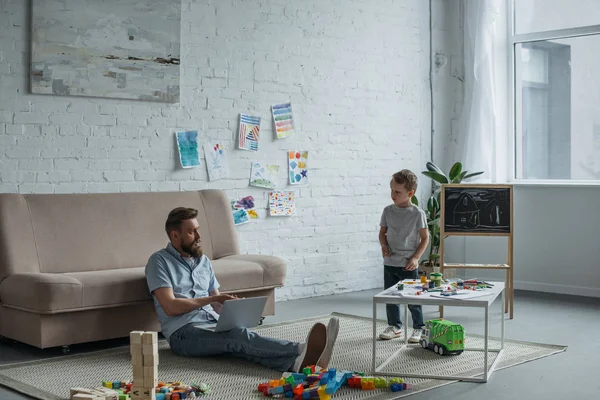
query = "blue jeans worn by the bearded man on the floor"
{"x": 194, "y": 341}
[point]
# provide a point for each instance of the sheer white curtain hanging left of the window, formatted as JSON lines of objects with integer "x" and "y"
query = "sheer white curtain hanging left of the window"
{"x": 484, "y": 136}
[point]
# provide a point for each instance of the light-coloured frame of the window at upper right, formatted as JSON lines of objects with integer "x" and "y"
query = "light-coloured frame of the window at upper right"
{"x": 515, "y": 144}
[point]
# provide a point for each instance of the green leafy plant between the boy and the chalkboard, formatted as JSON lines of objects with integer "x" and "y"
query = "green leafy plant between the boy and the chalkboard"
{"x": 455, "y": 175}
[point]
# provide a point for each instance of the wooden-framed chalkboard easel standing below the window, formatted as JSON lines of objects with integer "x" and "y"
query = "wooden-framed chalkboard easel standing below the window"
{"x": 479, "y": 210}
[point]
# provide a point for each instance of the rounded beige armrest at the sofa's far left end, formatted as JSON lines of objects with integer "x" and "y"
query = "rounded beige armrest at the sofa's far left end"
{"x": 40, "y": 292}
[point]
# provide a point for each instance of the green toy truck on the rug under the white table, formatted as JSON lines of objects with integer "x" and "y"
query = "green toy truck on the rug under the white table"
{"x": 443, "y": 337}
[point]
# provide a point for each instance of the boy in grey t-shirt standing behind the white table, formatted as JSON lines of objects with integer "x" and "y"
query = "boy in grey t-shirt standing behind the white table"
{"x": 403, "y": 237}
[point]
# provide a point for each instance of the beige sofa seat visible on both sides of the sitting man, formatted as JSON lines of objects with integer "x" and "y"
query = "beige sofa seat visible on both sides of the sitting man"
{"x": 51, "y": 293}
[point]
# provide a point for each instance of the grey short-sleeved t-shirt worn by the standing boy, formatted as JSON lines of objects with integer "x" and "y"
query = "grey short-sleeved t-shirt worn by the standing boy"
{"x": 403, "y": 225}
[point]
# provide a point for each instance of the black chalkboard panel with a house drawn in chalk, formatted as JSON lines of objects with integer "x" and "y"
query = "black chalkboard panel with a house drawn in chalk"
{"x": 477, "y": 210}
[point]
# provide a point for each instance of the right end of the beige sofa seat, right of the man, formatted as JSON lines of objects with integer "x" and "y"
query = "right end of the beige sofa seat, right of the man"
{"x": 249, "y": 271}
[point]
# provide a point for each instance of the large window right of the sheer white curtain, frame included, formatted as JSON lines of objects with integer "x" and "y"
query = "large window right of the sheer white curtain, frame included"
{"x": 556, "y": 89}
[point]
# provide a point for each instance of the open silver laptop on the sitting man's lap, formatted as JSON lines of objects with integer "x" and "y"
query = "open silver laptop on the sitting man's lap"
{"x": 237, "y": 313}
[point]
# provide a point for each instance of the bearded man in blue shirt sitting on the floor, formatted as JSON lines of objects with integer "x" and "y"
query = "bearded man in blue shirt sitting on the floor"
{"x": 184, "y": 289}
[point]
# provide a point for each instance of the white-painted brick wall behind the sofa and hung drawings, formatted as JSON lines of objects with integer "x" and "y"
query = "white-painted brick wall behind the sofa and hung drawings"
{"x": 356, "y": 72}
